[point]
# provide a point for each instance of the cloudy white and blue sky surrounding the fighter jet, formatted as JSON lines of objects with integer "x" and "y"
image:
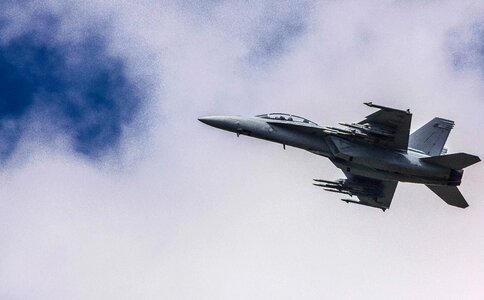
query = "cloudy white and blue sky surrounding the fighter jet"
{"x": 110, "y": 188}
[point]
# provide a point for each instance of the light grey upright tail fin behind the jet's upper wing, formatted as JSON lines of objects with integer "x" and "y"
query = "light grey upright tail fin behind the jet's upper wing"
{"x": 431, "y": 137}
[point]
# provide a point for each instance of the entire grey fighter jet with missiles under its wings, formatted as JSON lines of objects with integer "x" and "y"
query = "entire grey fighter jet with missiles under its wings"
{"x": 374, "y": 154}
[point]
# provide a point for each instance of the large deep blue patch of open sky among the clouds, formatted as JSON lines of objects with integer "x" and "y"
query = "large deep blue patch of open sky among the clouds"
{"x": 71, "y": 87}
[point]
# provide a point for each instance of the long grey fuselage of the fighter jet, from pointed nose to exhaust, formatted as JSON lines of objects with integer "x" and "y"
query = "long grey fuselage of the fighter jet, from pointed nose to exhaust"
{"x": 351, "y": 157}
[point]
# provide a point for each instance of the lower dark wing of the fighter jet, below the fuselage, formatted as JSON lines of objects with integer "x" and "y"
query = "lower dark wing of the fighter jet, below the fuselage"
{"x": 381, "y": 194}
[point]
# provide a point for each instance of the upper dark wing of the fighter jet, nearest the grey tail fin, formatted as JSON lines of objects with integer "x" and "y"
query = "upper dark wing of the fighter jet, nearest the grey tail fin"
{"x": 390, "y": 126}
